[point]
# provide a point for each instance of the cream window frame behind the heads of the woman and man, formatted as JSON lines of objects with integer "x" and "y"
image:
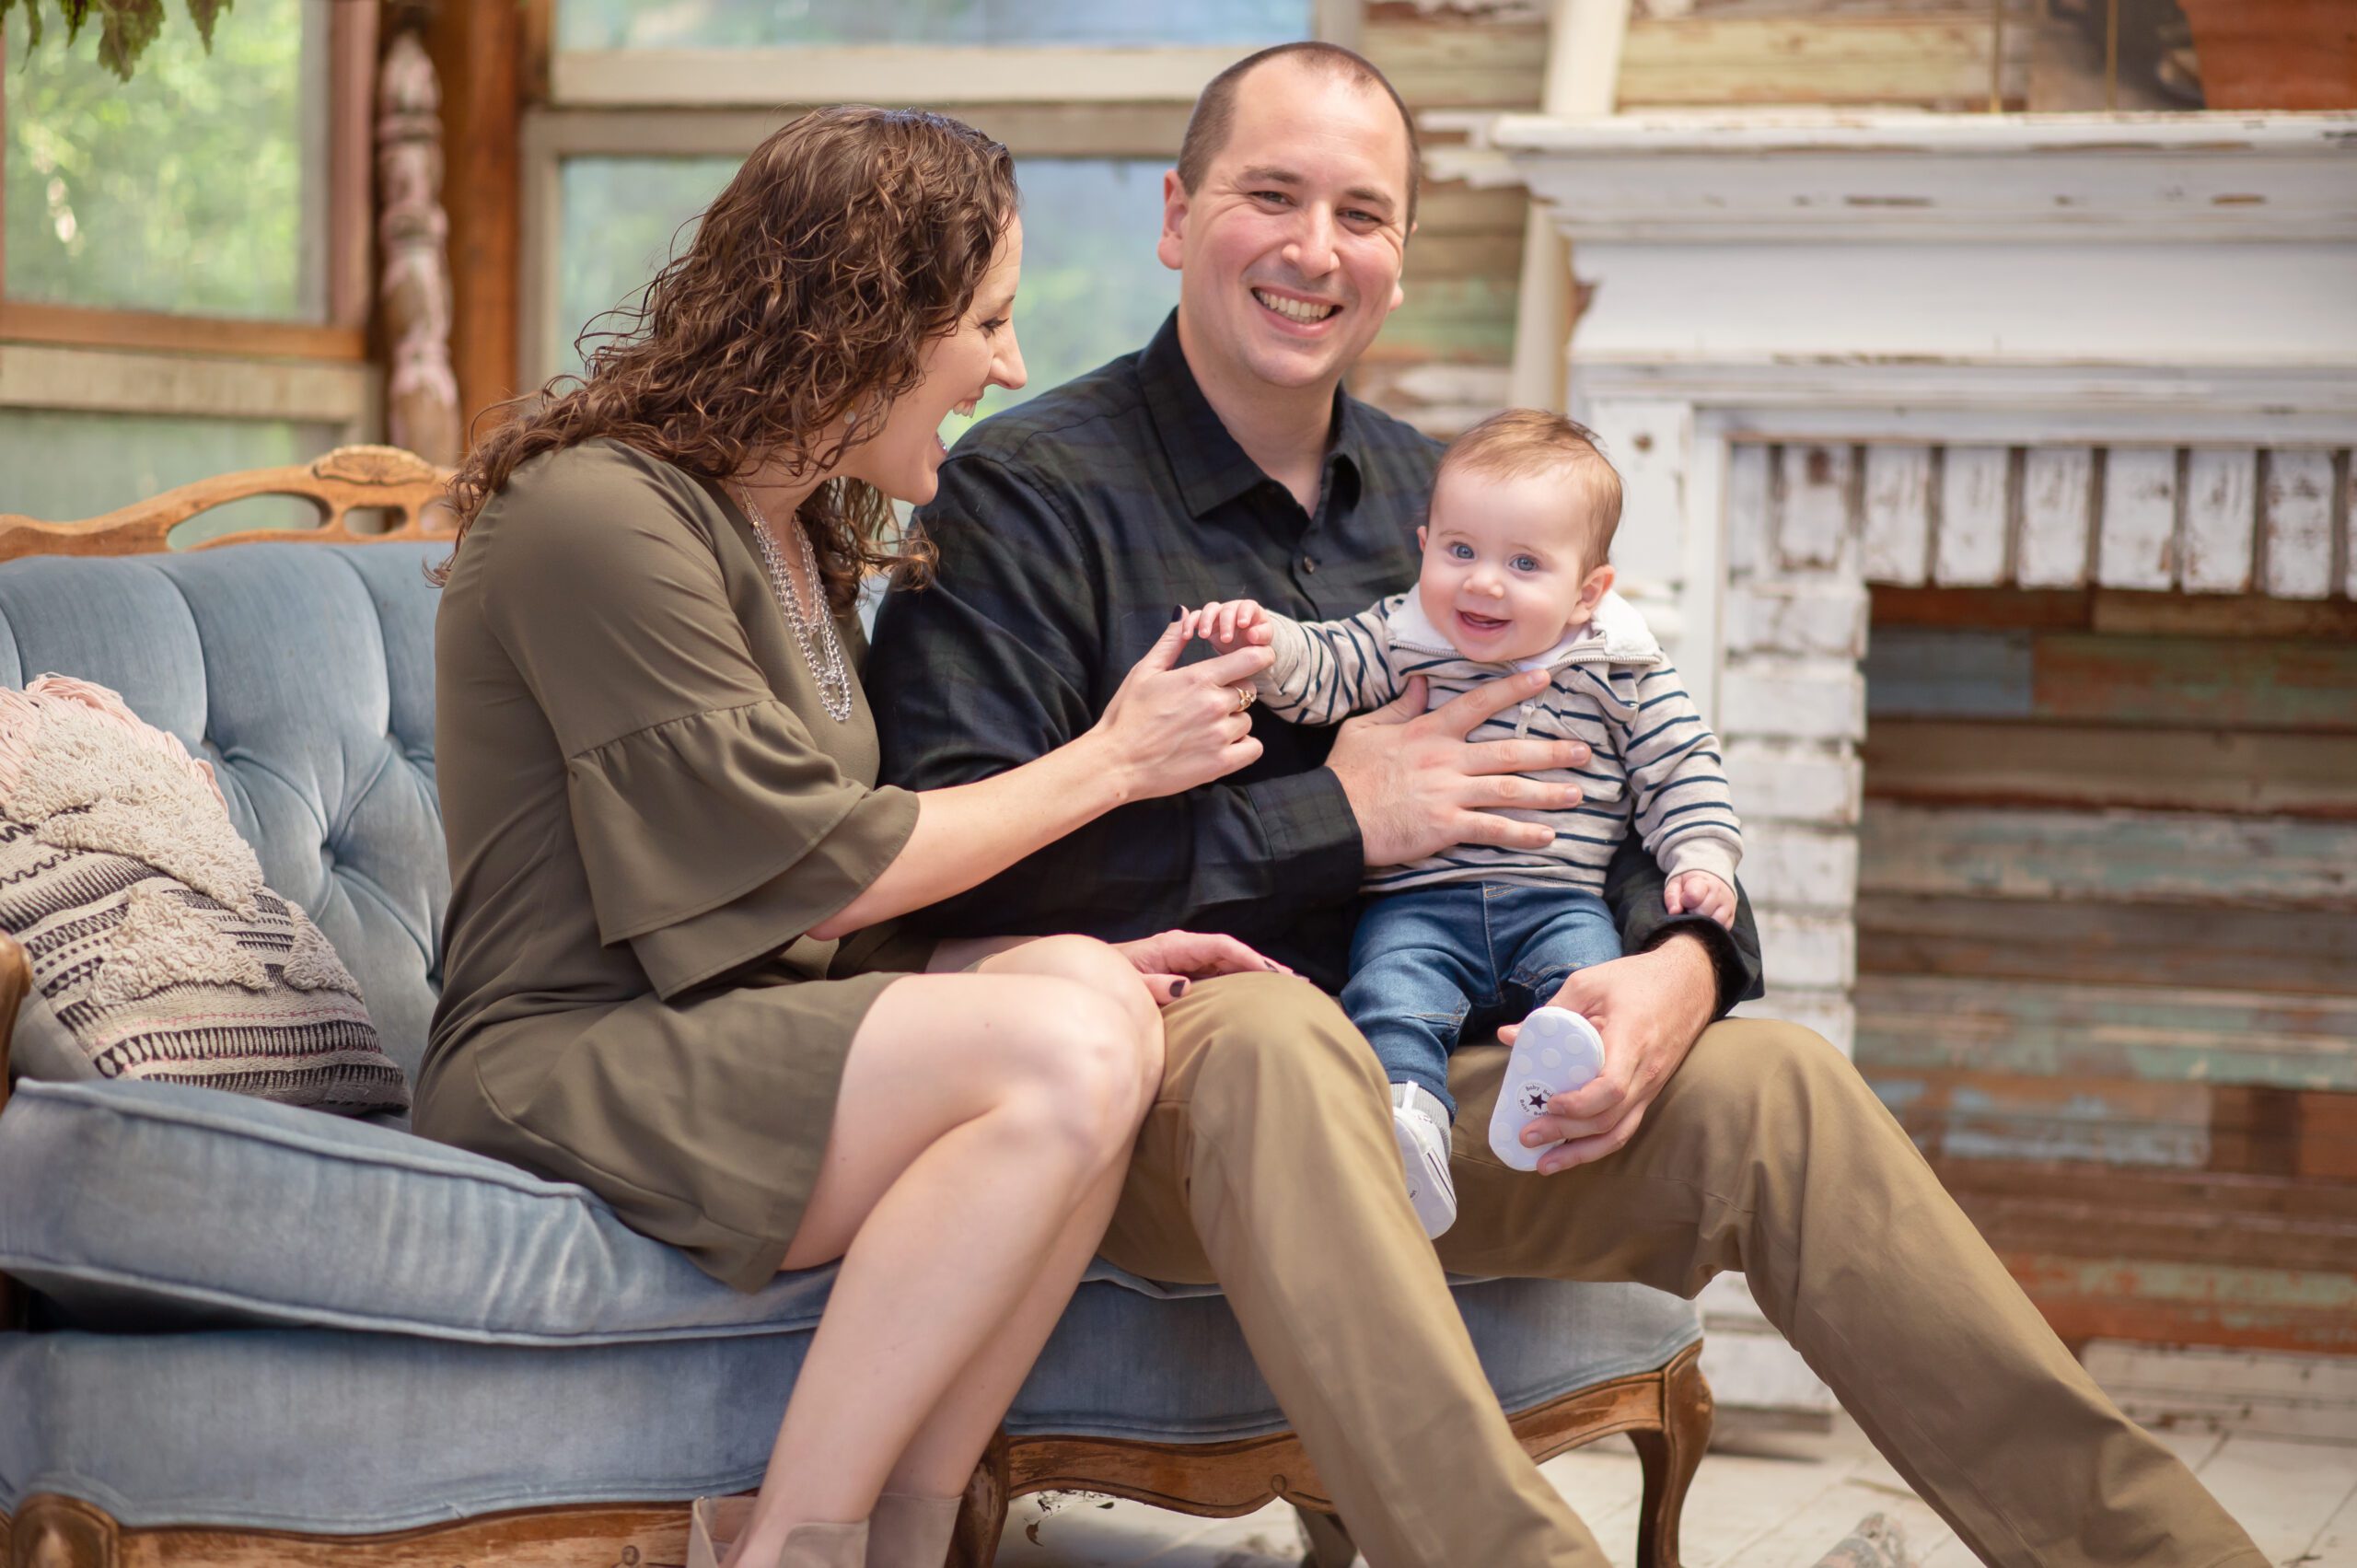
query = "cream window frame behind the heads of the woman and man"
{"x": 1041, "y": 100}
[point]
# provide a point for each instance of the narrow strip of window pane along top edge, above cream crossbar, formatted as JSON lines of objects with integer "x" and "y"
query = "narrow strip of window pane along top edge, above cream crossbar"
{"x": 621, "y": 25}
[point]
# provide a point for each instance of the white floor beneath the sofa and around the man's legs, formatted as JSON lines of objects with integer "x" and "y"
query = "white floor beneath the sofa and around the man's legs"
{"x": 1762, "y": 1501}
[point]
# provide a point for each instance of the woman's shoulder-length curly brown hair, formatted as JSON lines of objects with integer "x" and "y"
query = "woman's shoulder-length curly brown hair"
{"x": 847, "y": 244}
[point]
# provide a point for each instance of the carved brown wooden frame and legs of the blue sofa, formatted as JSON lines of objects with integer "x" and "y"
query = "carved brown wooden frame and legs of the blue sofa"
{"x": 1668, "y": 1414}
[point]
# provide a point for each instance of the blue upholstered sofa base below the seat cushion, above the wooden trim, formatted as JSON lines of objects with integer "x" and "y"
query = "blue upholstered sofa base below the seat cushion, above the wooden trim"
{"x": 350, "y": 1435}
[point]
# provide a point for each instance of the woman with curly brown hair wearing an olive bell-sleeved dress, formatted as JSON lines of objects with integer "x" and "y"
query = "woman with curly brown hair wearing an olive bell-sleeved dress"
{"x": 668, "y": 961}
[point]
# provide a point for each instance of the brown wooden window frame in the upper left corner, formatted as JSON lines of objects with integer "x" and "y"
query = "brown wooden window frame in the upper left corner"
{"x": 100, "y": 360}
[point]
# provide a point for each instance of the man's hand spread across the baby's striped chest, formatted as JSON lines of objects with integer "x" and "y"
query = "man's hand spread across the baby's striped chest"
{"x": 1420, "y": 786}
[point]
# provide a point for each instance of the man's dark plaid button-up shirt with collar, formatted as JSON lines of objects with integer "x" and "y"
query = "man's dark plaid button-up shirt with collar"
{"x": 1069, "y": 534}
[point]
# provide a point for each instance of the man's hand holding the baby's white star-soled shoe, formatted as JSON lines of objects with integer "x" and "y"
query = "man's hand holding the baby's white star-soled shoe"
{"x": 1649, "y": 1008}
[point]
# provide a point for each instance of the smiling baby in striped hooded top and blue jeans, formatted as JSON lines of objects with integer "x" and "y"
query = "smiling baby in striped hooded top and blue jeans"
{"x": 1514, "y": 579}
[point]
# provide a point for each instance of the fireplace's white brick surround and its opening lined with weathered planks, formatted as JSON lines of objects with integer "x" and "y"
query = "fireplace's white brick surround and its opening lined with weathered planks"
{"x": 2094, "y": 716}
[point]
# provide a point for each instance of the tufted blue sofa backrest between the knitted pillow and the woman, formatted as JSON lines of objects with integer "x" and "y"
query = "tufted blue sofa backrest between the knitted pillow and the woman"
{"x": 305, "y": 673}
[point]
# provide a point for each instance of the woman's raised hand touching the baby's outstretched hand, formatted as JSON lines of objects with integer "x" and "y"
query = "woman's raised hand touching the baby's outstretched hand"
{"x": 1173, "y": 730}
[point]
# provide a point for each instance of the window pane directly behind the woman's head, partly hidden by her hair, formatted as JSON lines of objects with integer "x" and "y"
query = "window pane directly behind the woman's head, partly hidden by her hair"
{"x": 1092, "y": 286}
